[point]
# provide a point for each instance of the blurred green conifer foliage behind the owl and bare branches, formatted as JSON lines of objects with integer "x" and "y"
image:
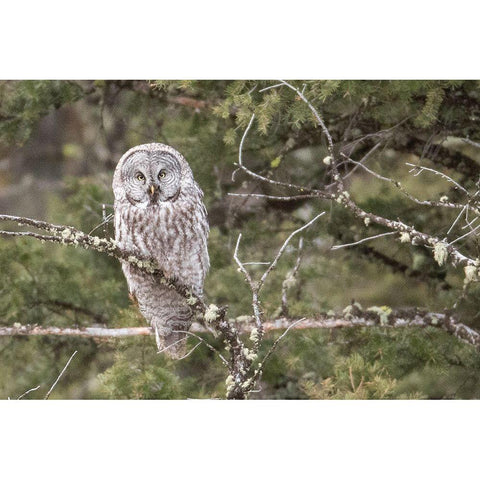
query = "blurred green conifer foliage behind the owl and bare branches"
{"x": 59, "y": 144}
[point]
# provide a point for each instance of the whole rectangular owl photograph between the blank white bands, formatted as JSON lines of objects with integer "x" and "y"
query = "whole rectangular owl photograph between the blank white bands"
{"x": 239, "y": 239}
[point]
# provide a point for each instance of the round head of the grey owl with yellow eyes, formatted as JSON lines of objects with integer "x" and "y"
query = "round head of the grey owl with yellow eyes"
{"x": 149, "y": 174}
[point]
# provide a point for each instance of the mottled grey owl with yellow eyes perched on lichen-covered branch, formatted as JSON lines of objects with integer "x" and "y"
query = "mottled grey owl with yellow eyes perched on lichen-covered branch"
{"x": 159, "y": 214}
